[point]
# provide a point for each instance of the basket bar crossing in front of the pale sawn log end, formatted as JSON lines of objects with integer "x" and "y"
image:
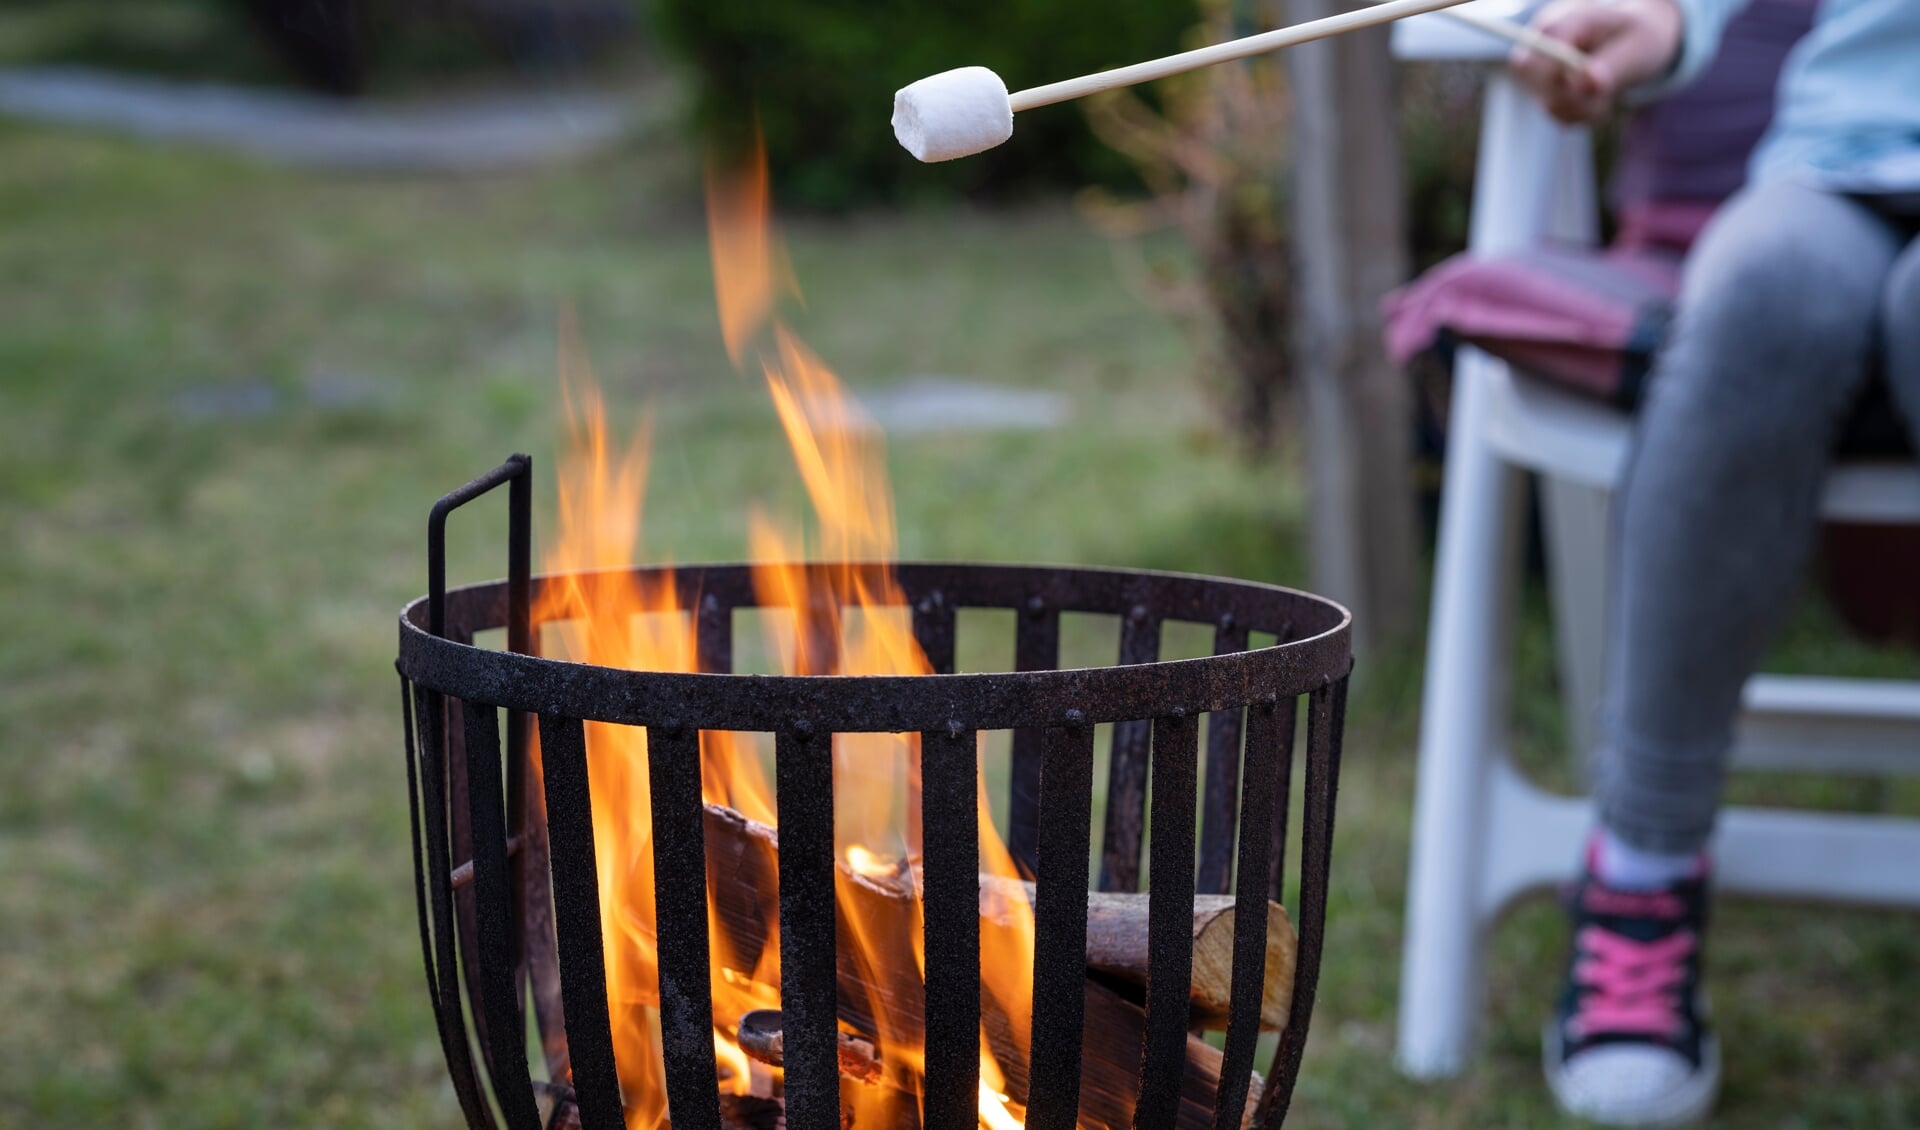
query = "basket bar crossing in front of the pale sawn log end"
{"x": 1251, "y": 912}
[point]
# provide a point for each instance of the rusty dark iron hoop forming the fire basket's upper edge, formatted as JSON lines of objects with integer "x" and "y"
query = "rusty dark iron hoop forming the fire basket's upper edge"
{"x": 1314, "y": 636}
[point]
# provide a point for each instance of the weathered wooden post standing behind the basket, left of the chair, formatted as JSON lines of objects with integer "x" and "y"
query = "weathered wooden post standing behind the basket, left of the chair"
{"x": 1349, "y": 229}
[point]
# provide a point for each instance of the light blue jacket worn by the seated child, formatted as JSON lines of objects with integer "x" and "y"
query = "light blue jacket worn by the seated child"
{"x": 1850, "y": 95}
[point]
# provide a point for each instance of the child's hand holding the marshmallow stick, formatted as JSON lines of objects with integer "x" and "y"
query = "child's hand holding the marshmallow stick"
{"x": 1629, "y": 43}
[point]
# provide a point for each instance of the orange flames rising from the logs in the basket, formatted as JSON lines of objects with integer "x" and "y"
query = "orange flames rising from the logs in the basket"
{"x": 848, "y": 617}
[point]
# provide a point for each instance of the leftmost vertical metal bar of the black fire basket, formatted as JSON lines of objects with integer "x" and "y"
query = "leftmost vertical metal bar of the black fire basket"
{"x": 431, "y": 715}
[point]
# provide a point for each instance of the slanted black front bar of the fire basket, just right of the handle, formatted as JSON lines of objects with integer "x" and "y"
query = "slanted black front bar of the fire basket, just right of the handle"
{"x": 564, "y": 757}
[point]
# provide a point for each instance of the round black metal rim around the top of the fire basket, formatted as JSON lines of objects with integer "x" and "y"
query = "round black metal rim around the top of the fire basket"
{"x": 878, "y": 703}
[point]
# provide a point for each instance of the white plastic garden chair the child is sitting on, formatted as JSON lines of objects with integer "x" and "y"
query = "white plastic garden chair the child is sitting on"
{"x": 1483, "y": 834}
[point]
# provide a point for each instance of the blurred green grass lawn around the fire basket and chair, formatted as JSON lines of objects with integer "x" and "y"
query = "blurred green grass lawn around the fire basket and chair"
{"x": 231, "y": 396}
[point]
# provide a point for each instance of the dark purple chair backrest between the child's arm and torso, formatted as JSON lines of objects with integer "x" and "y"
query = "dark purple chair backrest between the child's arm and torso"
{"x": 1689, "y": 153}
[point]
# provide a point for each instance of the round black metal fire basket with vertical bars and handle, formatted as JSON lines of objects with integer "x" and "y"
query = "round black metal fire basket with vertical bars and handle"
{"x": 510, "y": 895}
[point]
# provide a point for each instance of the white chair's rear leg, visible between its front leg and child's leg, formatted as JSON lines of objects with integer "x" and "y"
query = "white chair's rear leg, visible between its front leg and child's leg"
{"x": 1575, "y": 519}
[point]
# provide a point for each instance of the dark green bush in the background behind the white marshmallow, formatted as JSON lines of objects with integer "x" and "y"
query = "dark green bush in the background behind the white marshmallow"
{"x": 821, "y": 78}
